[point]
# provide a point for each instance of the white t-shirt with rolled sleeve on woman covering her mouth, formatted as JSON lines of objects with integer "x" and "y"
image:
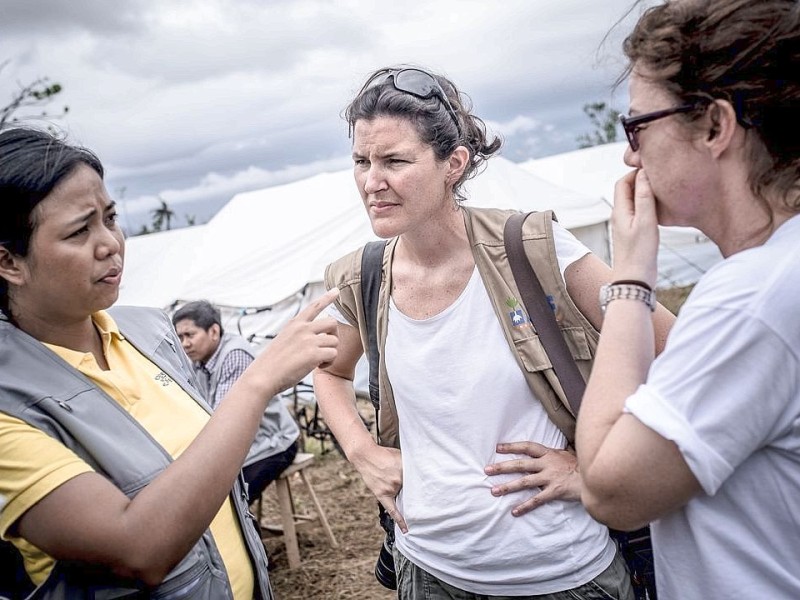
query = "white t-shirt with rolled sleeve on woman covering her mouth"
{"x": 727, "y": 391}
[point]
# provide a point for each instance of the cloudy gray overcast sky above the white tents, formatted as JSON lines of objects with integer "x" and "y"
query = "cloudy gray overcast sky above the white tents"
{"x": 196, "y": 100}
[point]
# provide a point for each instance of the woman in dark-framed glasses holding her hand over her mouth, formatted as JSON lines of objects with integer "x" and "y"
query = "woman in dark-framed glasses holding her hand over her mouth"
{"x": 705, "y": 440}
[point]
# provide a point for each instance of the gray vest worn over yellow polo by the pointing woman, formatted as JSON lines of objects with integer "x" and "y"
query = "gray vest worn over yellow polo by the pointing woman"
{"x": 41, "y": 389}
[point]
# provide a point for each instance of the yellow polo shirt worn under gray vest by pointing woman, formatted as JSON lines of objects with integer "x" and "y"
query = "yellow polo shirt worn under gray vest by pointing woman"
{"x": 33, "y": 464}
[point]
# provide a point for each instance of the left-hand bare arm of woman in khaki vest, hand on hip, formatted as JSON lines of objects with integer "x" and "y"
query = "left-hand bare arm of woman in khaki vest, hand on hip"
{"x": 381, "y": 468}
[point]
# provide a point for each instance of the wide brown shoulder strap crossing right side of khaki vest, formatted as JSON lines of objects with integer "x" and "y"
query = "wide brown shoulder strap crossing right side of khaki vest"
{"x": 533, "y": 297}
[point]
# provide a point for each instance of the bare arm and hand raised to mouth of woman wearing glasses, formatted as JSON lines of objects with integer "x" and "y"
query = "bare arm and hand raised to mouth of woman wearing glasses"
{"x": 631, "y": 475}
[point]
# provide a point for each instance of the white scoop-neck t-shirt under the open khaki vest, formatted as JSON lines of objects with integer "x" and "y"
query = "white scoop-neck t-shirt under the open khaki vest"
{"x": 459, "y": 391}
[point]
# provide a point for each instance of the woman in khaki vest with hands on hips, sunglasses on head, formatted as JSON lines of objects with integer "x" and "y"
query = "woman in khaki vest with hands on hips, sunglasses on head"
{"x": 484, "y": 494}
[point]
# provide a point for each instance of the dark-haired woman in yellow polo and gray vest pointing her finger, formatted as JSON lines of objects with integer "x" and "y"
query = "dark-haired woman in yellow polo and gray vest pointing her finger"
{"x": 115, "y": 479}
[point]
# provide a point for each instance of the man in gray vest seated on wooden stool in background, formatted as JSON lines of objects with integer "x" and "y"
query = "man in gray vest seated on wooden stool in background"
{"x": 219, "y": 359}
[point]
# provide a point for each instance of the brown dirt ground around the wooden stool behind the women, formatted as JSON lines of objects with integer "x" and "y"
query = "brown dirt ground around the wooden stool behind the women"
{"x": 346, "y": 572}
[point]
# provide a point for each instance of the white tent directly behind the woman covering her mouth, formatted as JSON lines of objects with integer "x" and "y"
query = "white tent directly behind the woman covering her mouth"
{"x": 684, "y": 253}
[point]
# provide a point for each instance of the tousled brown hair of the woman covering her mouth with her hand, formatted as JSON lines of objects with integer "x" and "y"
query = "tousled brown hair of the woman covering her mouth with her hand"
{"x": 744, "y": 51}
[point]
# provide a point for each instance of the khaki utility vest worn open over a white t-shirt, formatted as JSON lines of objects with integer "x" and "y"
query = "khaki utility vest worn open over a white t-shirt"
{"x": 485, "y": 234}
